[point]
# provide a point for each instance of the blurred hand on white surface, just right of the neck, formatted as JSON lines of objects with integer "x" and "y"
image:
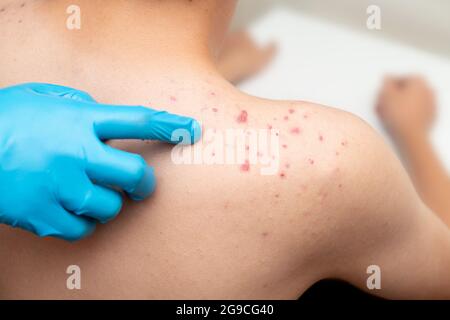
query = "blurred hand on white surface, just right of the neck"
{"x": 242, "y": 58}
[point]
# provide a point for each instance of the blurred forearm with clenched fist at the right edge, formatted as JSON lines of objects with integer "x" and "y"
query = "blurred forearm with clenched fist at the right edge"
{"x": 407, "y": 108}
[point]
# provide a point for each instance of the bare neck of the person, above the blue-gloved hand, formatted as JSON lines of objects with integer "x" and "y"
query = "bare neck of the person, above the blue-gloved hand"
{"x": 170, "y": 35}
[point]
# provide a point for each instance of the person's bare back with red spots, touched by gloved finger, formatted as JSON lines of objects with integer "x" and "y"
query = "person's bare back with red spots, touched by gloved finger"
{"x": 221, "y": 230}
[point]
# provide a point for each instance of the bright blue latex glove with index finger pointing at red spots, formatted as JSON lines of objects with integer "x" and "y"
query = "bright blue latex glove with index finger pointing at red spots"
{"x": 57, "y": 177}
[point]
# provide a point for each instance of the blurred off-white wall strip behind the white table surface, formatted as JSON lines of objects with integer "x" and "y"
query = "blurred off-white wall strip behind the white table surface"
{"x": 422, "y": 23}
